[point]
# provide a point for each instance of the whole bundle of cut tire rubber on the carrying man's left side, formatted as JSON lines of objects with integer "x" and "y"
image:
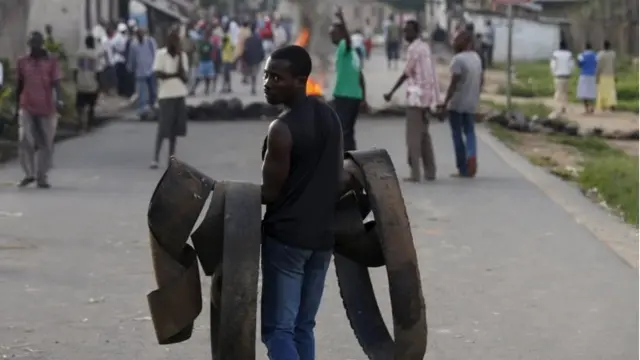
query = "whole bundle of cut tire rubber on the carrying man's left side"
{"x": 228, "y": 240}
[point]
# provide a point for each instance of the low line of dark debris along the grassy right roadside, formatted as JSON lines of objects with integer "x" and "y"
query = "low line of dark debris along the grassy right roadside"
{"x": 517, "y": 121}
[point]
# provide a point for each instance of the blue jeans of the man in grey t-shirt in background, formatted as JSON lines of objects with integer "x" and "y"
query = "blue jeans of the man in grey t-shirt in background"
{"x": 465, "y": 147}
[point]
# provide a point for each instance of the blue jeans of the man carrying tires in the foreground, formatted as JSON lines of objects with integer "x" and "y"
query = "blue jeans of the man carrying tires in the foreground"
{"x": 292, "y": 286}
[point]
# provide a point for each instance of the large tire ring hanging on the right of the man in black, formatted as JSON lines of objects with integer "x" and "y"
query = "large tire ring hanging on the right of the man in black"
{"x": 378, "y": 177}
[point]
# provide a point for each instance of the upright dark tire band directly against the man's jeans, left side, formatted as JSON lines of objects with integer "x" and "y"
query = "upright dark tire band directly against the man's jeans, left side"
{"x": 234, "y": 305}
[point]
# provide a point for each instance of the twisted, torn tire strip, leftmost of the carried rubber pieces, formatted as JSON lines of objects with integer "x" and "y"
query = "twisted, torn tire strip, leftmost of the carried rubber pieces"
{"x": 173, "y": 211}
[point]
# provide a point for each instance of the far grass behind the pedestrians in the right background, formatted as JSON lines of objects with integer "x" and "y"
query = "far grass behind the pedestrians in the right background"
{"x": 533, "y": 79}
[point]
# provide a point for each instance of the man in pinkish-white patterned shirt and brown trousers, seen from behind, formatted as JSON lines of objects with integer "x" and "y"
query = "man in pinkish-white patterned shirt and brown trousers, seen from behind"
{"x": 422, "y": 96}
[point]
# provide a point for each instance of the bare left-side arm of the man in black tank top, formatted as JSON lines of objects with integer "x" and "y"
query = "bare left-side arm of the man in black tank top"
{"x": 277, "y": 161}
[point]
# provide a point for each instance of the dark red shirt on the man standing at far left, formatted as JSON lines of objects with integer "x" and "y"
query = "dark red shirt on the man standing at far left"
{"x": 38, "y": 77}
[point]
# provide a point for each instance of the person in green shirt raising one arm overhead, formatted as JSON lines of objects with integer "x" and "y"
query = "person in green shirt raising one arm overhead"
{"x": 349, "y": 89}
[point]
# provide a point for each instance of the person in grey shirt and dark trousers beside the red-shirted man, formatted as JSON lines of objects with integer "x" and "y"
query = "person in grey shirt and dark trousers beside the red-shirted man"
{"x": 86, "y": 77}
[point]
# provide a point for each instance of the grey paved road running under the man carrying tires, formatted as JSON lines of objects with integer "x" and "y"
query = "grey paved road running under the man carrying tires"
{"x": 507, "y": 273}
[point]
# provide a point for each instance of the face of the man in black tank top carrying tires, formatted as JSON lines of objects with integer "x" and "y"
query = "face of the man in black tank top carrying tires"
{"x": 279, "y": 84}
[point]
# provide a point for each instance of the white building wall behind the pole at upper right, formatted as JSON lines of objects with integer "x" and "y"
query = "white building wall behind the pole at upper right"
{"x": 532, "y": 40}
